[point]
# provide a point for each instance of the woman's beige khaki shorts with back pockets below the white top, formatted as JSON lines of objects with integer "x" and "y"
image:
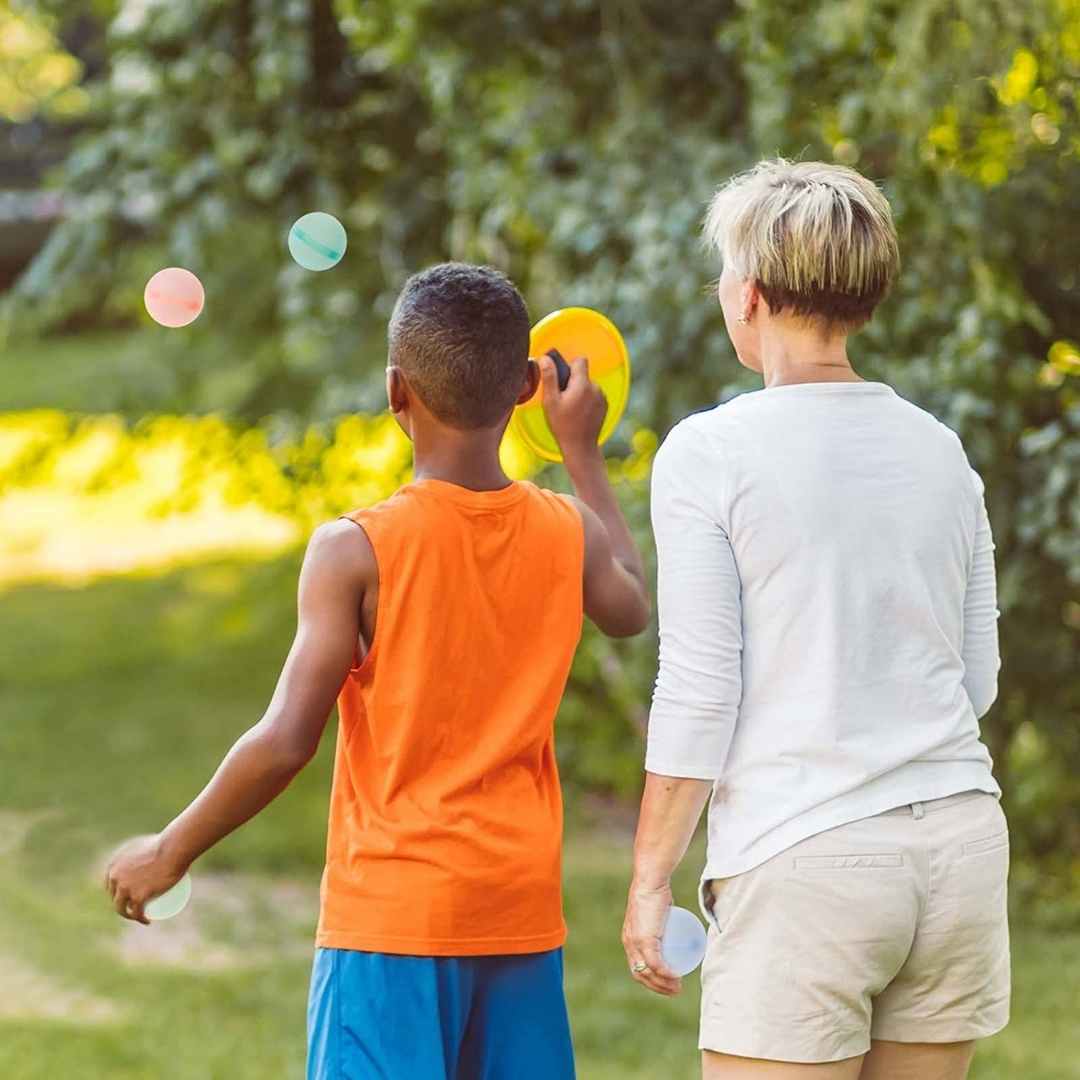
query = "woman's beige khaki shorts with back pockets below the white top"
{"x": 893, "y": 927}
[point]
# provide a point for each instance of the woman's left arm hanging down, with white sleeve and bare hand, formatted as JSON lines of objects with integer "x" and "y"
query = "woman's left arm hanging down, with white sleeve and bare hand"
{"x": 699, "y": 683}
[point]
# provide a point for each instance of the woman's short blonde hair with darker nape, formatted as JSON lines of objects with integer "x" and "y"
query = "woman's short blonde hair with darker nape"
{"x": 817, "y": 239}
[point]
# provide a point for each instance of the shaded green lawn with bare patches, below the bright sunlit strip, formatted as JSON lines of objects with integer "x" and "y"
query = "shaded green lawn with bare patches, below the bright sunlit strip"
{"x": 119, "y": 700}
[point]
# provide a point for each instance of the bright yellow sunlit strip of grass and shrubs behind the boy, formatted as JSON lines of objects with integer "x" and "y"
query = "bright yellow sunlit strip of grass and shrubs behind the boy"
{"x": 93, "y": 495}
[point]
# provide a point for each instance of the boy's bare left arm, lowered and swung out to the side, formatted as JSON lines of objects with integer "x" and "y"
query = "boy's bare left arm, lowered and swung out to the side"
{"x": 339, "y": 566}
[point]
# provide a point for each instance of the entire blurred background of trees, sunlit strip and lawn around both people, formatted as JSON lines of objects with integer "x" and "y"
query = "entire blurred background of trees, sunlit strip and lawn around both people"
{"x": 157, "y": 487}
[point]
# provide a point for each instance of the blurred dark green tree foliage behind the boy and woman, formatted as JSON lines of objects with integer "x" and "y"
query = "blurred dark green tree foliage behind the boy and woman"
{"x": 575, "y": 143}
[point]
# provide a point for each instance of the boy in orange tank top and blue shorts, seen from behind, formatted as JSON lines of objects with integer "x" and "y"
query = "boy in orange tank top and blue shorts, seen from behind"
{"x": 444, "y": 622}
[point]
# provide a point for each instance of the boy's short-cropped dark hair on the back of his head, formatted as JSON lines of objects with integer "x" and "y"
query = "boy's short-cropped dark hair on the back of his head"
{"x": 462, "y": 335}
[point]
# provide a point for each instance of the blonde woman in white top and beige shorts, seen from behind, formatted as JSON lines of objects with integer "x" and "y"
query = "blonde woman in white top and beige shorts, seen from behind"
{"x": 829, "y": 642}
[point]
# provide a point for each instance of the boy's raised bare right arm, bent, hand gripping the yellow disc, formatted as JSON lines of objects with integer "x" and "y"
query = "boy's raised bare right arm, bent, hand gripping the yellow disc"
{"x": 616, "y": 592}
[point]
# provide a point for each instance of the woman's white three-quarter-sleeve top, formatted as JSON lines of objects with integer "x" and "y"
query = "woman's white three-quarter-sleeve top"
{"x": 840, "y": 639}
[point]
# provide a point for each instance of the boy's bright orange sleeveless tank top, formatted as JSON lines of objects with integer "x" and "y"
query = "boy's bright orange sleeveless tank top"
{"x": 447, "y": 816}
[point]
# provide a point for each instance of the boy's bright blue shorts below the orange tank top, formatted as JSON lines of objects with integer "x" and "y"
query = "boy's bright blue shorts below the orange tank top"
{"x": 382, "y": 1017}
